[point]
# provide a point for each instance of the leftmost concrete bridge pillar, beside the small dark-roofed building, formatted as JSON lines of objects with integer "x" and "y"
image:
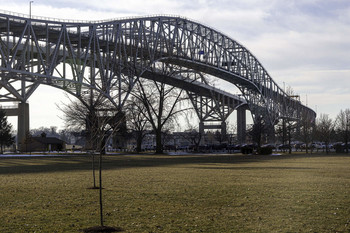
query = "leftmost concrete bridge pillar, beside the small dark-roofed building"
{"x": 23, "y": 123}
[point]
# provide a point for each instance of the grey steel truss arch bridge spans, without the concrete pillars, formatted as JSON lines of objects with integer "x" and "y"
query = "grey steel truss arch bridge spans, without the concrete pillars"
{"x": 109, "y": 56}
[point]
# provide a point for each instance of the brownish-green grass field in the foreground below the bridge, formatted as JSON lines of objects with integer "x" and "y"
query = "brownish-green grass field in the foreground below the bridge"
{"x": 189, "y": 193}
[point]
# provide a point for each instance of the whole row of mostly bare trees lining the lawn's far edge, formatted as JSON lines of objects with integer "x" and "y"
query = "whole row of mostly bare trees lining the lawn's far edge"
{"x": 154, "y": 107}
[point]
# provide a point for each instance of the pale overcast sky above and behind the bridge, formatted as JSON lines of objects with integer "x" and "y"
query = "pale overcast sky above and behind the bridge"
{"x": 304, "y": 44}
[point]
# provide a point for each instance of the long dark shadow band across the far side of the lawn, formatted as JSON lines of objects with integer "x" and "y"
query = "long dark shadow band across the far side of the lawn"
{"x": 77, "y": 163}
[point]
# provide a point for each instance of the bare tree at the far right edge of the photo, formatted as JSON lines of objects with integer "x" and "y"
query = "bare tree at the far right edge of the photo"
{"x": 342, "y": 126}
